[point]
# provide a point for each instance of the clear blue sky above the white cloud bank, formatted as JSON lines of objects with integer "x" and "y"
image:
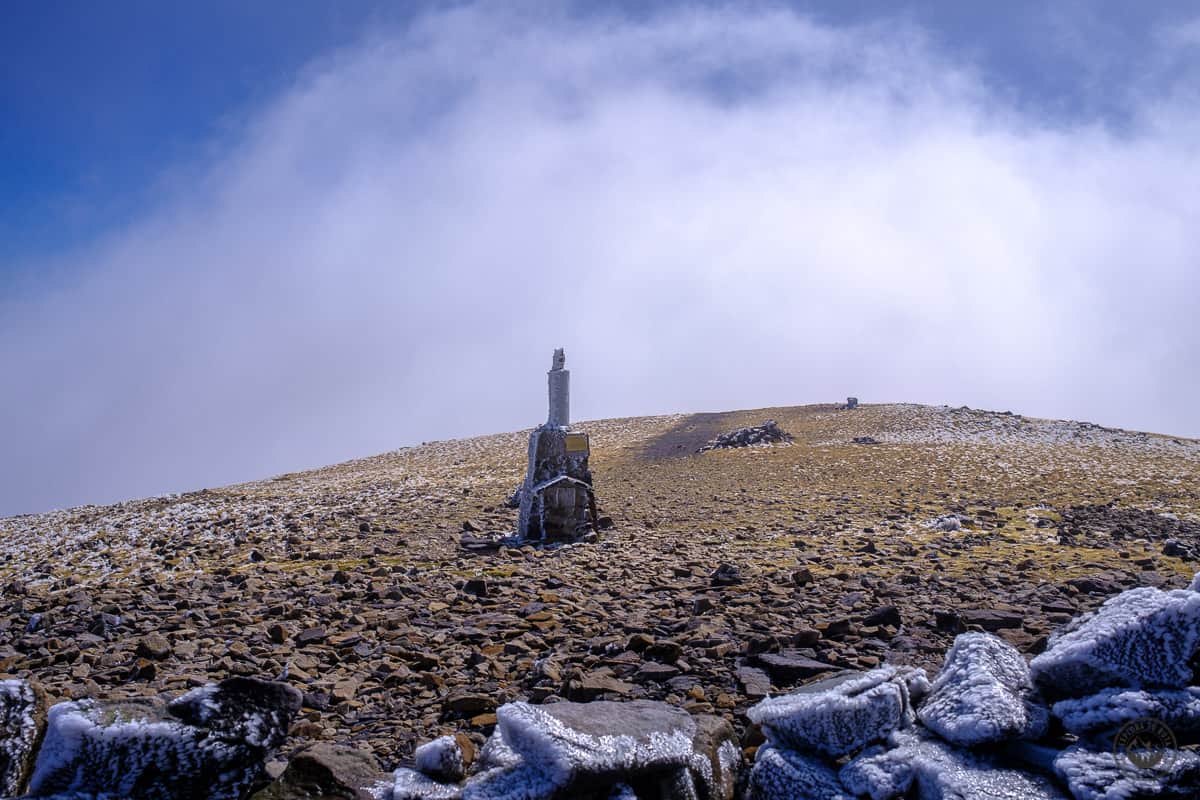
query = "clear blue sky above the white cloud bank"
{"x": 104, "y": 103}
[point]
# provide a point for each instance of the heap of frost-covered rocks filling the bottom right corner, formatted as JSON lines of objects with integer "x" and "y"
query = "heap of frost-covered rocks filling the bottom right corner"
{"x": 1119, "y": 682}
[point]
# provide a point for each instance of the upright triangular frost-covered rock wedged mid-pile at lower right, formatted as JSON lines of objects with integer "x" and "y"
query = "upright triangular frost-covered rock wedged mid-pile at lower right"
{"x": 983, "y": 695}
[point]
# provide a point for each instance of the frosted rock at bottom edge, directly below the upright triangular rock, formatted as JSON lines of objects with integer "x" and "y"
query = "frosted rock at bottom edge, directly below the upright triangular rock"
{"x": 939, "y": 772}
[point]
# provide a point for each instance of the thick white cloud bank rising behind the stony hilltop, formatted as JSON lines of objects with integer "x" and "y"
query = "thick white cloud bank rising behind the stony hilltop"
{"x": 709, "y": 210}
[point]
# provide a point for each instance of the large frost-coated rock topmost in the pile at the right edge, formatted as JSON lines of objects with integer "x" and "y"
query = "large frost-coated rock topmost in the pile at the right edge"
{"x": 1141, "y": 639}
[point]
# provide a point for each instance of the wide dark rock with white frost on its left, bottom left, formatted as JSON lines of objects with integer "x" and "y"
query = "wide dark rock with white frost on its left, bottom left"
{"x": 211, "y": 743}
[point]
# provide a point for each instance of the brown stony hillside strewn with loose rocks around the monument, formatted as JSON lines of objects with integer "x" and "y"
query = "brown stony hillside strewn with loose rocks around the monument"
{"x": 350, "y": 581}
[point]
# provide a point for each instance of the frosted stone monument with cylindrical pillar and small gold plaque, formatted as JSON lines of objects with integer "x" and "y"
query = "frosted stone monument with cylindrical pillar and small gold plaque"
{"x": 557, "y": 502}
